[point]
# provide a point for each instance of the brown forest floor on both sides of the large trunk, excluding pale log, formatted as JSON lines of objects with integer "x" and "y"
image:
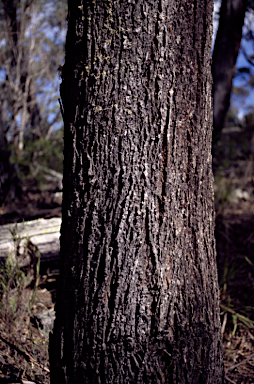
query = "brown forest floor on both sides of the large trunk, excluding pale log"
{"x": 24, "y": 339}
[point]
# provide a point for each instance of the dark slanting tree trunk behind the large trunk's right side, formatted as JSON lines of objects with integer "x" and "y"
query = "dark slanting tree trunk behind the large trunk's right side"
{"x": 225, "y": 53}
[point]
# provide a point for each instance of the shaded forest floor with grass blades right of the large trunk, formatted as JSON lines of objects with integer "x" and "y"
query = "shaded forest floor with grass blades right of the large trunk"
{"x": 235, "y": 256}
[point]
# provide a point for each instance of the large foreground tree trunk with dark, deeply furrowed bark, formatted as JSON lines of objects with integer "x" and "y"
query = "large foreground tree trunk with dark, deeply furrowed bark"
{"x": 138, "y": 295}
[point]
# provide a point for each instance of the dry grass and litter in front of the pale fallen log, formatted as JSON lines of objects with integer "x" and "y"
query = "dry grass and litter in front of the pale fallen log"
{"x": 23, "y": 344}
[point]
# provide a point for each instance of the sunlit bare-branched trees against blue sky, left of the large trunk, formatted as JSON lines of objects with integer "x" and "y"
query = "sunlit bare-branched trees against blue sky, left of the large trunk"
{"x": 32, "y": 36}
